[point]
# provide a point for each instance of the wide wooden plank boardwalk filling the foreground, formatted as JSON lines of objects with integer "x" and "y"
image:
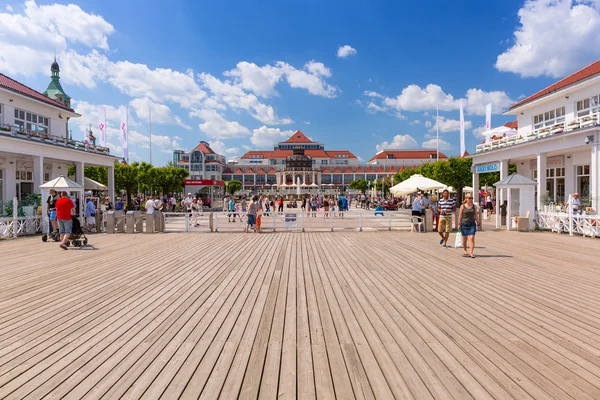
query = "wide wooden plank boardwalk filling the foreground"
{"x": 301, "y": 315}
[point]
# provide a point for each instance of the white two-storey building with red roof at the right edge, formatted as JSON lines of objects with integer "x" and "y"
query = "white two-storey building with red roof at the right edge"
{"x": 557, "y": 143}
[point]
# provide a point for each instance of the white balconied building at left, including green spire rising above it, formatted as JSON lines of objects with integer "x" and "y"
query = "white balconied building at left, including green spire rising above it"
{"x": 35, "y": 141}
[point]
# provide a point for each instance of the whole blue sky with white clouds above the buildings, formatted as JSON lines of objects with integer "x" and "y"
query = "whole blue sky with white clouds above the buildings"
{"x": 243, "y": 77}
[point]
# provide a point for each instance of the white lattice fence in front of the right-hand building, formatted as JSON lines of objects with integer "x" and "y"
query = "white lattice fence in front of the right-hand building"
{"x": 586, "y": 225}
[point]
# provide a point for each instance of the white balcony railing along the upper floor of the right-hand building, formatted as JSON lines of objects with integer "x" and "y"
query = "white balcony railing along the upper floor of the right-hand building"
{"x": 541, "y": 132}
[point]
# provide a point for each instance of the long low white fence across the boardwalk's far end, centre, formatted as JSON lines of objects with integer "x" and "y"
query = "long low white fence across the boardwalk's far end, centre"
{"x": 298, "y": 221}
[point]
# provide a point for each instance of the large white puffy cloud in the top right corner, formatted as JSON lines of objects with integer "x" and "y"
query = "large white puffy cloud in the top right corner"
{"x": 554, "y": 38}
